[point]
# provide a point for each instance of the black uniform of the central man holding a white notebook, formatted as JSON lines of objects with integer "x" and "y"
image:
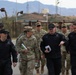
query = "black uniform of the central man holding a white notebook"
{"x": 54, "y": 56}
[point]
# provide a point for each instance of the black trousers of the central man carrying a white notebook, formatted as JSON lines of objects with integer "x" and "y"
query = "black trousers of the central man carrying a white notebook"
{"x": 54, "y": 66}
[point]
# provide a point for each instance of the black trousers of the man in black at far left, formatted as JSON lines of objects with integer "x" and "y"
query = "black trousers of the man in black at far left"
{"x": 5, "y": 68}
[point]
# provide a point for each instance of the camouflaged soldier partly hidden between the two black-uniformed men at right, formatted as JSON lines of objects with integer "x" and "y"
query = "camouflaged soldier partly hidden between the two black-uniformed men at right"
{"x": 65, "y": 55}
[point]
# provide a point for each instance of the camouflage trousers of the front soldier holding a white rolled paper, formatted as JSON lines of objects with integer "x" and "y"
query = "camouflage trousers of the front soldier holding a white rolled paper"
{"x": 27, "y": 67}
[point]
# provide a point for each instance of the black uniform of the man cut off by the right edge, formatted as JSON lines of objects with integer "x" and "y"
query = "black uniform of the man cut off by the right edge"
{"x": 72, "y": 49}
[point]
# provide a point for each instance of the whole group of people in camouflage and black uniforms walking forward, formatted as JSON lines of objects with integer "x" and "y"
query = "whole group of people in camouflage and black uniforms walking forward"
{"x": 38, "y": 47}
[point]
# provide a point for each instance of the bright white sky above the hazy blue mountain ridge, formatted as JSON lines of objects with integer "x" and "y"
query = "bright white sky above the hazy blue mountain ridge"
{"x": 62, "y": 3}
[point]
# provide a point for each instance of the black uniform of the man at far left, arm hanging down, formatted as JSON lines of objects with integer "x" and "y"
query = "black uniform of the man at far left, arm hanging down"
{"x": 6, "y": 50}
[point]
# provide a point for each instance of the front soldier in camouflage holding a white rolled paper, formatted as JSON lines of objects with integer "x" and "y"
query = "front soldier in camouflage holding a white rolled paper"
{"x": 27, "y": 48}
